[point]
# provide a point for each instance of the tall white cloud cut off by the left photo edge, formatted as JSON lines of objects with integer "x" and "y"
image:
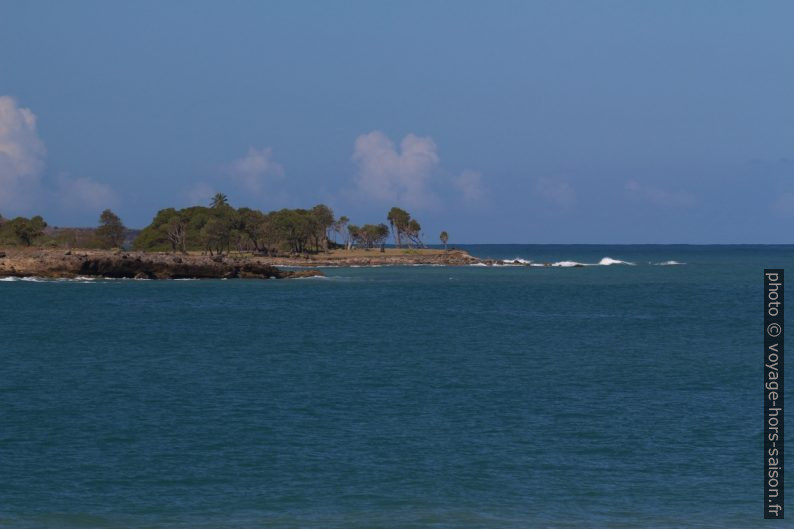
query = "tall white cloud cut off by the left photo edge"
{"x": 21, "y": 155}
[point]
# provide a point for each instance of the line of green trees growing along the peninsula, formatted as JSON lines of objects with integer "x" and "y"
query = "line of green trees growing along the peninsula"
{"x": 221, "y": 228}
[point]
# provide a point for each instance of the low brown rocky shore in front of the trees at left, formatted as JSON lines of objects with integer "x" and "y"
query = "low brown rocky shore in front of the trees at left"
{"x": 57, "y": 263}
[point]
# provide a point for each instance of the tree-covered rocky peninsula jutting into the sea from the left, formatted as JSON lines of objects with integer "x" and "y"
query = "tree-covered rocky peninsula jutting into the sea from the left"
{"x": 218, "y": 241}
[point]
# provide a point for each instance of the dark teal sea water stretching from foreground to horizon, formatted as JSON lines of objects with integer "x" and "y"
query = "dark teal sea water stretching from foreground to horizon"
{"x": 447, "y": 397}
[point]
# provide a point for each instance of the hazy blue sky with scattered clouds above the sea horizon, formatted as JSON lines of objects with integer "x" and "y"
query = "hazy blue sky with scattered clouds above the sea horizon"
{"x": 502, "y": 122}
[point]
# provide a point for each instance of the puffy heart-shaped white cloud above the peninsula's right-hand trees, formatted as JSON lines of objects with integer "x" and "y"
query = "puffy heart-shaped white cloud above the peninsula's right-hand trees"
{"x": 401, "y": 176}
